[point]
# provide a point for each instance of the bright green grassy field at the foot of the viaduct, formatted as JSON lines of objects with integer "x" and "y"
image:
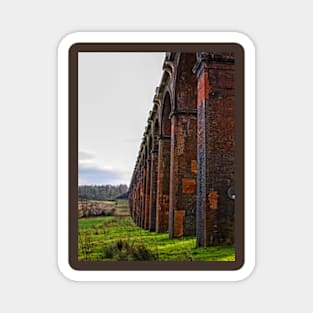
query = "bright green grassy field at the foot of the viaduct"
{"x": 117, "y": 238}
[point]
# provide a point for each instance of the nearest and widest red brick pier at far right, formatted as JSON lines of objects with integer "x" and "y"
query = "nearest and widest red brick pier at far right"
{"x": 216, "y": 147}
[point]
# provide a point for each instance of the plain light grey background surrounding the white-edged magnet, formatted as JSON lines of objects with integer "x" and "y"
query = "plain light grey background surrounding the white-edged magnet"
{"x": 30, "y": 33}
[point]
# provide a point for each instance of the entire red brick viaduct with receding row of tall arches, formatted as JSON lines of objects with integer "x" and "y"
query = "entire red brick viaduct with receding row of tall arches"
{"x": 183, "y": 180}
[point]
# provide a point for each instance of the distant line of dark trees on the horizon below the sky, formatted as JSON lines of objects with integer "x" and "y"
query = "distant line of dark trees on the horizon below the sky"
{"x": 102, "y": 192}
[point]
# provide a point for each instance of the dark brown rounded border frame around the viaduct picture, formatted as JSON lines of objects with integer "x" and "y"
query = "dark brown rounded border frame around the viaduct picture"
{"x": 73, "y": 156}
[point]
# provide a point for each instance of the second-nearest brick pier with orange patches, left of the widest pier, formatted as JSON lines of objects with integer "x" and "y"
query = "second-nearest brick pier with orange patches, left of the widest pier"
{"x": 183, "y": 150}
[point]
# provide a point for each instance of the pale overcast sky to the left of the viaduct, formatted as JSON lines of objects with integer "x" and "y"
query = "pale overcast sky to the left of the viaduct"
{"x": 115, "y": 93}
